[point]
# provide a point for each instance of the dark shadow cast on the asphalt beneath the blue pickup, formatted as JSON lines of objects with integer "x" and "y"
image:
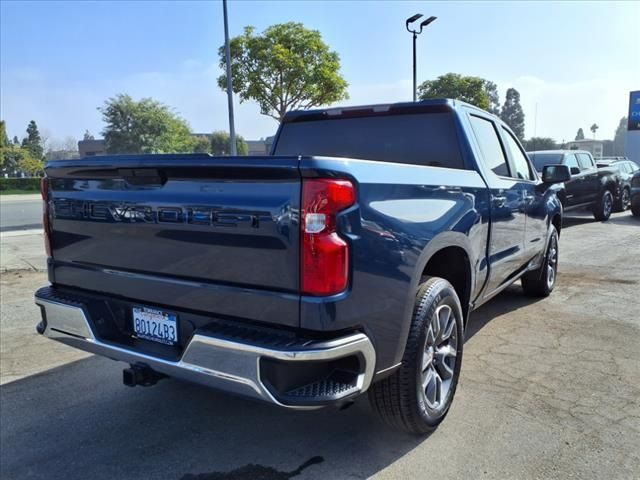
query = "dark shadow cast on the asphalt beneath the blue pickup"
{"x": 80, "y": 415}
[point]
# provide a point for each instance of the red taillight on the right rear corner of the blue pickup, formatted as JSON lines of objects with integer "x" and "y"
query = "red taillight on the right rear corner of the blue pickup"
{"x": 325, "y": 255}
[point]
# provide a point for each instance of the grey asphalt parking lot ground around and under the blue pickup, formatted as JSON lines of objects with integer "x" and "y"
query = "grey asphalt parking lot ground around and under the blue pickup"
{"x": 549, "y": 389}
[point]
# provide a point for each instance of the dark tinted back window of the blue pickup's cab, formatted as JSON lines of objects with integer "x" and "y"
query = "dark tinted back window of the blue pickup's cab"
{"x": 419, "y": 139}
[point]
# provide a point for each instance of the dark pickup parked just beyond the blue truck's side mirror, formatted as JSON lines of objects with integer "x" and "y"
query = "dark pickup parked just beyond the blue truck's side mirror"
{"x": 599, "y": 190}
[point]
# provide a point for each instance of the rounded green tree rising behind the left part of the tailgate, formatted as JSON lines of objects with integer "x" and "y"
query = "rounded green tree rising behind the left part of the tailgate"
{"x": 147, "y": 126}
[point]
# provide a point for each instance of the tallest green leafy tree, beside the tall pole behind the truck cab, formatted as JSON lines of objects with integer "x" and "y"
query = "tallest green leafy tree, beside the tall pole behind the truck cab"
{"x": 287, "y": 67}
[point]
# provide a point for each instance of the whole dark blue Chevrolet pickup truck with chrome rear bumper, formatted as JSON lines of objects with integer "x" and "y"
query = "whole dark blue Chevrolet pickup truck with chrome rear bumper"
{"x": 347, "y": 261}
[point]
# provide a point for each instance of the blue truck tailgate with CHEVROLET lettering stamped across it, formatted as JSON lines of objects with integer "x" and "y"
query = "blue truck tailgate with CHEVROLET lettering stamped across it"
{"x": 213, "y": 234}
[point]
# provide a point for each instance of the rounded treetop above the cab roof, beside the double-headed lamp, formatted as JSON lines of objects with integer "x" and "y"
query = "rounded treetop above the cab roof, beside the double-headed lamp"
{"x": 474, "y": 90}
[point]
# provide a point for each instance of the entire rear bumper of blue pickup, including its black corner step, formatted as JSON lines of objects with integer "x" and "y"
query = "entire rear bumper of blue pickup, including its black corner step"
{"x": 344, "y": 366}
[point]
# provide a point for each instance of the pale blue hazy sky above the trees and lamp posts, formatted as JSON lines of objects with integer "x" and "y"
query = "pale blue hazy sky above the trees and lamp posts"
{"x": 573, "y": 63}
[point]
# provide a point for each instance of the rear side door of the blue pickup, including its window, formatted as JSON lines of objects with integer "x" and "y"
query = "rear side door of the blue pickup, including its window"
{"x": 506, "y": 253}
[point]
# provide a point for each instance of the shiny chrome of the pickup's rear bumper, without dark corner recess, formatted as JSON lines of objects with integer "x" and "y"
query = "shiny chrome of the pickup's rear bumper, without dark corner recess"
{"x": 227, "y": 365}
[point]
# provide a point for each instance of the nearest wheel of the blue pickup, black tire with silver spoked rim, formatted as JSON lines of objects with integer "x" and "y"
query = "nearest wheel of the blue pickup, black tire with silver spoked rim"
{"x": 400, "y": 399}
